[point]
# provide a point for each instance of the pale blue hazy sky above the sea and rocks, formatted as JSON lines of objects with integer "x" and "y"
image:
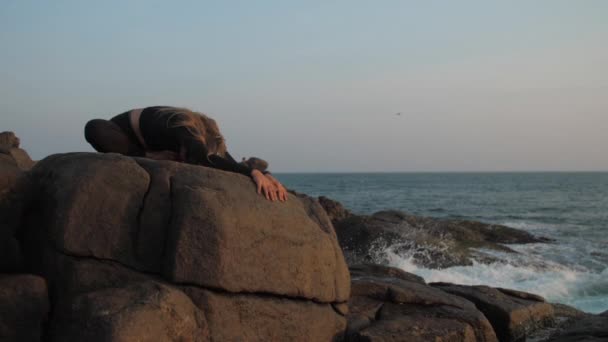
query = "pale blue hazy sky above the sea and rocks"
{"x": 314, "y": 86}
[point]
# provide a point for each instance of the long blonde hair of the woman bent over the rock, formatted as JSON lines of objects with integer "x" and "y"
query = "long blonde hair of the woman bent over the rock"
{"x": 202, "y": 127}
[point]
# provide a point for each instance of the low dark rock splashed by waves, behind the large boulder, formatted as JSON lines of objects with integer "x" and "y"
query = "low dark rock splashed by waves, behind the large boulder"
{"x": 432, "y": 243}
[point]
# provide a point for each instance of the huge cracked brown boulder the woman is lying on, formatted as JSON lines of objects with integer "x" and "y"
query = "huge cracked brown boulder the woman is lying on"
{"x": 183, "y": 246}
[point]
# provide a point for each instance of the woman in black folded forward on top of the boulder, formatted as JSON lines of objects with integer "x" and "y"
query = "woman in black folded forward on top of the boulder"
{"x": 170, "y": 133}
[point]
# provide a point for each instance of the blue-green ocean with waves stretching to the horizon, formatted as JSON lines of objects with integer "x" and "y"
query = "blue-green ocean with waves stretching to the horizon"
{"x": 571, "y": 208}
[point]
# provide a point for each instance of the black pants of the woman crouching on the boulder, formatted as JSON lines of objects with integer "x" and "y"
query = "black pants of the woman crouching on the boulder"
{"x": 114, "y": 135}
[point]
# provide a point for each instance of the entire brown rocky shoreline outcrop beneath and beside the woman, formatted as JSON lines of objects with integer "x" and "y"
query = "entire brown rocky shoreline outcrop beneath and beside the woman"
{"x": 135, "y": 249}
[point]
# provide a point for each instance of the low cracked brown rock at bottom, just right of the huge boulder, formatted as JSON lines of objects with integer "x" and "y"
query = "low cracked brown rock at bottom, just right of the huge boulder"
{"x": 386, "y": 308}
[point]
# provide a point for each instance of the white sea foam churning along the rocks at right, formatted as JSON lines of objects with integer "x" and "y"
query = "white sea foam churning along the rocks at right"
{"x": 577, "y": 286}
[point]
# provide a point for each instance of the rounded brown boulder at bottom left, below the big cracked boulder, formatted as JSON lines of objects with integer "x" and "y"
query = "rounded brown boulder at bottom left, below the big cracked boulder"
{"x": 146, "y": 311}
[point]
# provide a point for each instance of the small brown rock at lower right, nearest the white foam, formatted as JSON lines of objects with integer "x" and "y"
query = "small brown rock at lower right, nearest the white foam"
{"x": 513, "y": 314}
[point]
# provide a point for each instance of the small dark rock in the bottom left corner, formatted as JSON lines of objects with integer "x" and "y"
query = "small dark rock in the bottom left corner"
{"x": 24, "y": 307}
